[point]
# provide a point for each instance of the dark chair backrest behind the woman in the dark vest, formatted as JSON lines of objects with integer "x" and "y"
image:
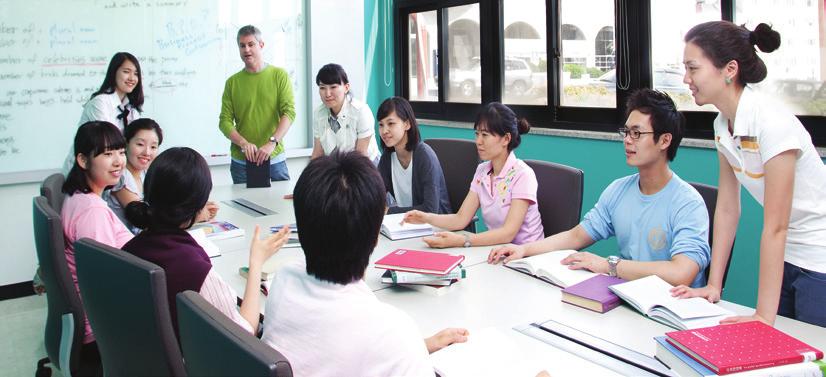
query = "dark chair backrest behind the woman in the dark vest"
{"x": 125, "y": 299}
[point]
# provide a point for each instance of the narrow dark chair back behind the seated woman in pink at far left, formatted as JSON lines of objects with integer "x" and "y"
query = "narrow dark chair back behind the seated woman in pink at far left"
{"x": 64, "y": 318}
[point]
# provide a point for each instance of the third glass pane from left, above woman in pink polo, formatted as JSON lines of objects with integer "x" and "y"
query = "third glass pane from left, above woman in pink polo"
{"x": 526, "y": 59}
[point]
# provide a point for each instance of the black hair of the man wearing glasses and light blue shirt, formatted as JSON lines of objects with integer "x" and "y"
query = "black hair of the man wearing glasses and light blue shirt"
{"x": 665, "y": 119}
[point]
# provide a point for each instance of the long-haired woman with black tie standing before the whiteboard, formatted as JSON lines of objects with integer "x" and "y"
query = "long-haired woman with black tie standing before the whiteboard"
{"x": 119, "y": 99}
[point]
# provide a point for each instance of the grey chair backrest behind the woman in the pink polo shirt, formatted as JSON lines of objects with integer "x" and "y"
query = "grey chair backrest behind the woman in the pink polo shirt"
{"x": 559, "y": 195}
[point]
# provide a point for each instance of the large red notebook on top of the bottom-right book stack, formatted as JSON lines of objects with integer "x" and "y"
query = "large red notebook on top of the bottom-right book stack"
{"x": 742, "y": 346}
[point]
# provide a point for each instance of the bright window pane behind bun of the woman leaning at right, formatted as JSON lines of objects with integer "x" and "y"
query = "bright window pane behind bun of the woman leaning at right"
{"x": 796, "y": 70}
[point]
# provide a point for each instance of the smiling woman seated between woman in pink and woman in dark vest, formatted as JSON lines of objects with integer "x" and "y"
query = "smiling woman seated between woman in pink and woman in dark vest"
{"x": 143, "y": 138}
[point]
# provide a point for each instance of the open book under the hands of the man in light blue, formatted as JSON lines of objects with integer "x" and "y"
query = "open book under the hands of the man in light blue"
{"x": 547, "y": 267}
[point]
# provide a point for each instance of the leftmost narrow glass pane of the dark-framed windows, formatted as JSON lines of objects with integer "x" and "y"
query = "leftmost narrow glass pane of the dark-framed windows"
{"x": 423, "y": 53}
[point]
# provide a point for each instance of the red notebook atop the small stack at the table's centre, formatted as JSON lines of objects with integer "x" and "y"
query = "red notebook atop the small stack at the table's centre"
{"x": 425, "y": 262}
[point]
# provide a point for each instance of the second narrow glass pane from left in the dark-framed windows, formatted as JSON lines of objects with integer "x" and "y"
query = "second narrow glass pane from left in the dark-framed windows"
{"x": 464, "y": 82}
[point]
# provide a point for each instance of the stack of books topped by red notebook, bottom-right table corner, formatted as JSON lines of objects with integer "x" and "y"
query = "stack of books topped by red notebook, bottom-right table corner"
{"x": 747, "y": 349}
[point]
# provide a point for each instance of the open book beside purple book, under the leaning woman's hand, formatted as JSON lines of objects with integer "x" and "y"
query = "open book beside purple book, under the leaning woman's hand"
{"x": 651, "y": 296}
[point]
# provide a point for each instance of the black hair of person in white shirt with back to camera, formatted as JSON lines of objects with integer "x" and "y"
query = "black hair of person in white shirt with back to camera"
{"x": 339, "y": 203}
